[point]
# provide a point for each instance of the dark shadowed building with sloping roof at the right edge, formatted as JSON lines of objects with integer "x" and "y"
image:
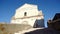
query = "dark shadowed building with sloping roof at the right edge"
{"x": 55, "y": 22}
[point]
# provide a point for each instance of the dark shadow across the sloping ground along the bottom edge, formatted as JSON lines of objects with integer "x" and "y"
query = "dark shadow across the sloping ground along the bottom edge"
{"x": 43, "y": 31}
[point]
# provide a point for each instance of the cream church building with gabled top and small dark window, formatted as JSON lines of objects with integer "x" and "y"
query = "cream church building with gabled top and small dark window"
{"x": 28, "y": 14}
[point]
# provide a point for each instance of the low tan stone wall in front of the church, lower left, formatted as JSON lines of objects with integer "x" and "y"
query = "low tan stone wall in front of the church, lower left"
{"x": 12, "y": 28}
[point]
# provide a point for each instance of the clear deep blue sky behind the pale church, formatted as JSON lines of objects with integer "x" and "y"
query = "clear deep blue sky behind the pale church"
{"x": 8, "y": 7}
